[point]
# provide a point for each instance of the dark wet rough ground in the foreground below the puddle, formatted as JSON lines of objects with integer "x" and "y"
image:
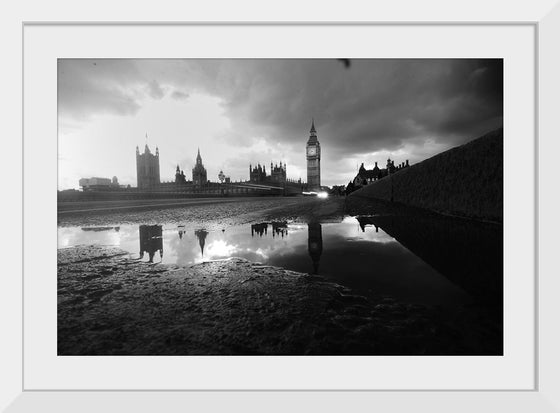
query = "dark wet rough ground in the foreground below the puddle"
{"x": 110, "y": 303}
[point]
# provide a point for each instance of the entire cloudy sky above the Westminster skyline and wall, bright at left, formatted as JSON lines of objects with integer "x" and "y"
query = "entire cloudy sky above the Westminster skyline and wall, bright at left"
{"x": 242, "y": 111}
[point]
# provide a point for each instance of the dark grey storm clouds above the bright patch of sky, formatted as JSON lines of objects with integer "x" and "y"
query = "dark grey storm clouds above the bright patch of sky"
{"x": 370, "y": 106}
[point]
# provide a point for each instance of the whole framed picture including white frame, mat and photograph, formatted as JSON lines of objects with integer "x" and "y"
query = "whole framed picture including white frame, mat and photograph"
{"x": 269, "y": 207}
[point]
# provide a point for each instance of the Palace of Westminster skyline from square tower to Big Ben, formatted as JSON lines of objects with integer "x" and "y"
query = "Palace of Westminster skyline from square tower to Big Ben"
{"x": 148, "y": 172}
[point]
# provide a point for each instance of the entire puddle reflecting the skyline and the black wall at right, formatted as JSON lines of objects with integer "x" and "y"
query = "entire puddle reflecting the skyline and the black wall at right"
{"x": 412, "y": 260}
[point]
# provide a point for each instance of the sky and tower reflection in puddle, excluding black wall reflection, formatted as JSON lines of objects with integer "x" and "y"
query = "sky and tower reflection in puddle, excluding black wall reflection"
{"x": 364, "y": 258}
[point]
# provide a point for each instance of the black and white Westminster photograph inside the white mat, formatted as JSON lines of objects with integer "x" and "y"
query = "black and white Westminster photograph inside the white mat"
{"x": 273, "y": 207}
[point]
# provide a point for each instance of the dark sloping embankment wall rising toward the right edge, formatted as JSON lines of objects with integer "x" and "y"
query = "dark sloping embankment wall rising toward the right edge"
{"x": 465, "y": 181}
